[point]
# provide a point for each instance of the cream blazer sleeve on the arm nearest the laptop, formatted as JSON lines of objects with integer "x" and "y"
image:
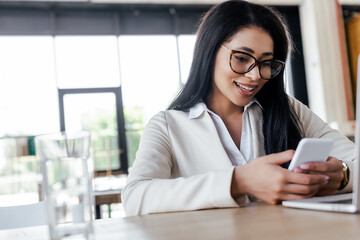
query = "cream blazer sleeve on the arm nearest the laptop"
{"x": 314, "y": 127}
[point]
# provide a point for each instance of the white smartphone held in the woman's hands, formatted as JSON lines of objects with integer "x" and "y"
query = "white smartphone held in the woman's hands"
{"x": 311, "y": 150}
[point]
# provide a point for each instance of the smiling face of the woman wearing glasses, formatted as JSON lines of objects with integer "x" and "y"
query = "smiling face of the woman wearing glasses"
{"x": 243, "y": 79}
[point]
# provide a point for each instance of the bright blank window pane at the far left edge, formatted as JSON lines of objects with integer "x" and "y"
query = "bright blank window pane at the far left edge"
{"x": 27, "y": 86}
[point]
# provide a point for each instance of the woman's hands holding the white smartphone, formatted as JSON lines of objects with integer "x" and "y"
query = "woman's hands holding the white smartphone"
{"x": 281, "y": 184}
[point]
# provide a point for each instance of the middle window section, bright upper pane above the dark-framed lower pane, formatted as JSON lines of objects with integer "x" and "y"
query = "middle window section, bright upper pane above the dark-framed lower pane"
{"x": 89, "y": 87}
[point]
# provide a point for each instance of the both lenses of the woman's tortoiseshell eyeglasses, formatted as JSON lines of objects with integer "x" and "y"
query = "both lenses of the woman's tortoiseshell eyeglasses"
{"x": 242, "y": 63}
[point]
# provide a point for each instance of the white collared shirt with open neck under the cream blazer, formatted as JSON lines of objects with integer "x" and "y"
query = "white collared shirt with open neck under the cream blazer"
{"x": 246, "y": 153}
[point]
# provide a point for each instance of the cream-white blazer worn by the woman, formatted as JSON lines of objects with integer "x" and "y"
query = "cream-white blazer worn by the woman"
{"x": 181, "y": 164}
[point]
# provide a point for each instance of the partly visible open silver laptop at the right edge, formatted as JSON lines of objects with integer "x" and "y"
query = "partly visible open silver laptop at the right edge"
{"x": 349, "y": 202}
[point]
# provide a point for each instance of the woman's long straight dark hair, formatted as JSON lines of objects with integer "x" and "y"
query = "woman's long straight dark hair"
{"x": 280, "y": 123}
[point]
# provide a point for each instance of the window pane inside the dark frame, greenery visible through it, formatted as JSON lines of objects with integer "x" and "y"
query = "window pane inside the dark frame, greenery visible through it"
{"x": 96, "y": 113}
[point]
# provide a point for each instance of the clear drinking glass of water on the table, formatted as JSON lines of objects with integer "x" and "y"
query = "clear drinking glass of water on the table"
{"x": 67, "y": 183}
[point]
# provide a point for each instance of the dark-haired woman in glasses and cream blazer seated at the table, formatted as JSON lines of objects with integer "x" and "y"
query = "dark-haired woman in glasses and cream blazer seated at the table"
{"x": 228, "y": 135}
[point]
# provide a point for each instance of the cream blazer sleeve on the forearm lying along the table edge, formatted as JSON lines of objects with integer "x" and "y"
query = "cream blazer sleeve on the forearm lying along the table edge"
{"x": 150, "y": 187}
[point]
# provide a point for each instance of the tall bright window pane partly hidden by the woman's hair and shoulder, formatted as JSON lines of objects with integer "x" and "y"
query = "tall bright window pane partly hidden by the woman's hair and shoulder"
{"x": 150, "y": 80}
